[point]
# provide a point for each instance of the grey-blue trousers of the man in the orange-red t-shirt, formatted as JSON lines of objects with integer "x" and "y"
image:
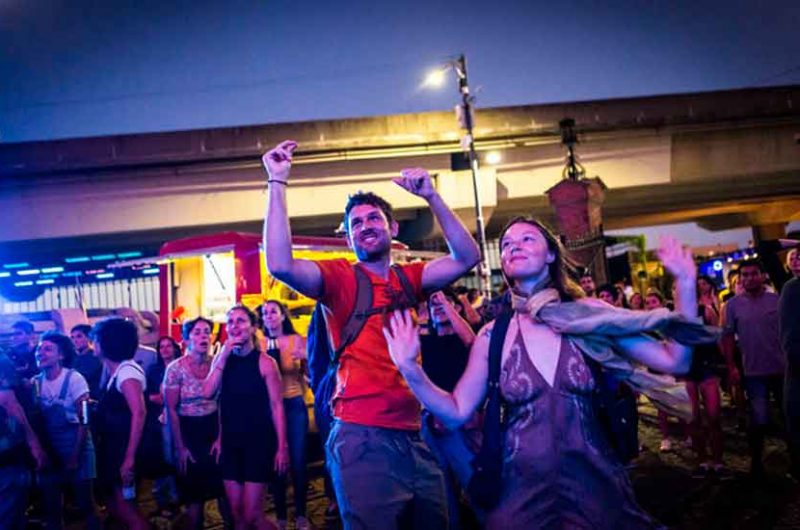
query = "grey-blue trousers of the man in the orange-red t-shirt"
{"x": 385, "y": 478}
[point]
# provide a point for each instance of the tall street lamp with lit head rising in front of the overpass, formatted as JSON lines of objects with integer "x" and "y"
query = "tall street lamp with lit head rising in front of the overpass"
{"x": 464, "y": 114}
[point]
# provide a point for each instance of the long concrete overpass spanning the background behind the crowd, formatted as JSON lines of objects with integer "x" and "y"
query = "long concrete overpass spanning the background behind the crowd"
{"x": 724, "y": 159}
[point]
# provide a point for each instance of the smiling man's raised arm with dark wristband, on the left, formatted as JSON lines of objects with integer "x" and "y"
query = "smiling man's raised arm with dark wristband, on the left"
{"x": 301, "y": 275}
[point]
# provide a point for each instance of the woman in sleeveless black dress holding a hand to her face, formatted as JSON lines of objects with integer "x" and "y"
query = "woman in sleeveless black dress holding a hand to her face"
{"x": 253, "y": 423}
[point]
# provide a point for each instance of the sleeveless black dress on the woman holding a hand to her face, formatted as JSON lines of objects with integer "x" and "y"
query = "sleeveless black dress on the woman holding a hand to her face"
{"x": 248, "y": 433}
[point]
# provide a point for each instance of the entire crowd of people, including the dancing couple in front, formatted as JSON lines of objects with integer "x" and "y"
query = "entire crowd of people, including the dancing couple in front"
{"x": 204, "y": 419}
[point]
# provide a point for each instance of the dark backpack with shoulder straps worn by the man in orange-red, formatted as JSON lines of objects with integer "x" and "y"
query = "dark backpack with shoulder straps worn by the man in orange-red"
{"x": 323, "y": 359}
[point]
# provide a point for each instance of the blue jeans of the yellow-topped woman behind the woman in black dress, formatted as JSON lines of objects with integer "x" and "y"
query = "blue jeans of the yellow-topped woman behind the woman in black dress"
{"x": 296, "y": 434}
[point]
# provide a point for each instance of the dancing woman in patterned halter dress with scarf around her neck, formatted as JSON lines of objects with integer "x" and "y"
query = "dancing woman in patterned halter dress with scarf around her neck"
{"x": 559, "y": 470}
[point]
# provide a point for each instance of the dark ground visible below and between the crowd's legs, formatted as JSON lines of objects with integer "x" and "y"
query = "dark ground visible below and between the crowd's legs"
{"x": 664, "y": 486}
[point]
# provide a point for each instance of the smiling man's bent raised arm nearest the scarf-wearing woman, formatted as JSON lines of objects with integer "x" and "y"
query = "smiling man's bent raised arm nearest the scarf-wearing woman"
{"x": 464, "y": 252}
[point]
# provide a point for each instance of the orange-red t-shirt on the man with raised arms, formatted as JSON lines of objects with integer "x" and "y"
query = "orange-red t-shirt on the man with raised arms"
{"x": 369, "y": 388}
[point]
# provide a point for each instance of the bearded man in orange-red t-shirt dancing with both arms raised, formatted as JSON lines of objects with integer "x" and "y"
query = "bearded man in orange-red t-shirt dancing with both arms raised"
{"x": 379, "y": 465}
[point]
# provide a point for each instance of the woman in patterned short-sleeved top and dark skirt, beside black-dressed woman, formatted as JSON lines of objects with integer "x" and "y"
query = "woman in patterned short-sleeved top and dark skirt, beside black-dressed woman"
{"x": 194, "y": 421}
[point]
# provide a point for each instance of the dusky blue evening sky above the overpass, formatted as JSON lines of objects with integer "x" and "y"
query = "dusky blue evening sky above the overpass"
{"x": 76, "y": 68}
